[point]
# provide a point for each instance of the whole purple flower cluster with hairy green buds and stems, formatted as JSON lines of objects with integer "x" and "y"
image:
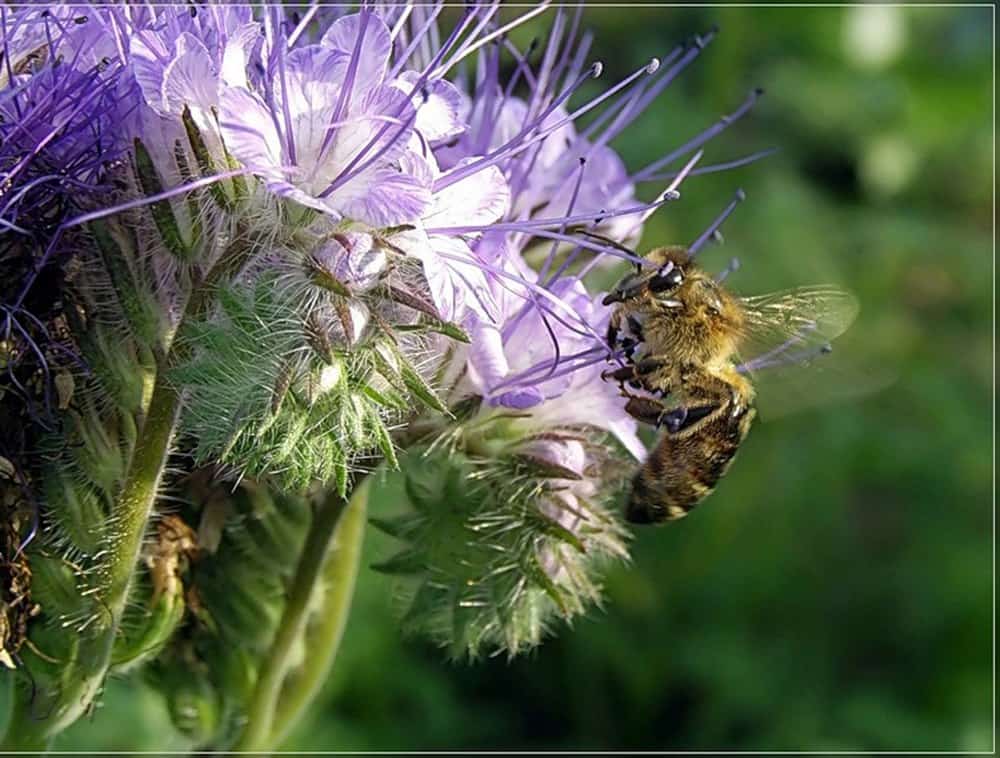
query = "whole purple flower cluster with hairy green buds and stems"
{"x": 291, "y": 250}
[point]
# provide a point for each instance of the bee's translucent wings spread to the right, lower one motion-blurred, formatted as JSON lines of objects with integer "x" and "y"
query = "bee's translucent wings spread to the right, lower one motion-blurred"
{"x": 787, "y": 350}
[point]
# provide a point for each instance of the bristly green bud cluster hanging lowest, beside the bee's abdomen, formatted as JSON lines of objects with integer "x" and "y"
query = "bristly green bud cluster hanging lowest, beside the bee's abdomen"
{"x": 504, "y": 533}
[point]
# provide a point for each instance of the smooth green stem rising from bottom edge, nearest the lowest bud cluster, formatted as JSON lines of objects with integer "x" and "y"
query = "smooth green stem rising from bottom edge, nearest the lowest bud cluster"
{"x": 330, "y": 557}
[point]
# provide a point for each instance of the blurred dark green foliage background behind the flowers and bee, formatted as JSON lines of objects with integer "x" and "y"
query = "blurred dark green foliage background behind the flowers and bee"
{"x": 835, "y": 592}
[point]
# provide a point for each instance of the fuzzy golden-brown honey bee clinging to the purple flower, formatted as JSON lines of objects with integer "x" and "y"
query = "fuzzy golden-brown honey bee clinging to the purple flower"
{"x": 685, "y": 340}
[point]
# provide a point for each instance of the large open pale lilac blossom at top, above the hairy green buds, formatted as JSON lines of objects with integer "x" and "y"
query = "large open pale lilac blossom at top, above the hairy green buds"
{"x": 329, "y": 131}
